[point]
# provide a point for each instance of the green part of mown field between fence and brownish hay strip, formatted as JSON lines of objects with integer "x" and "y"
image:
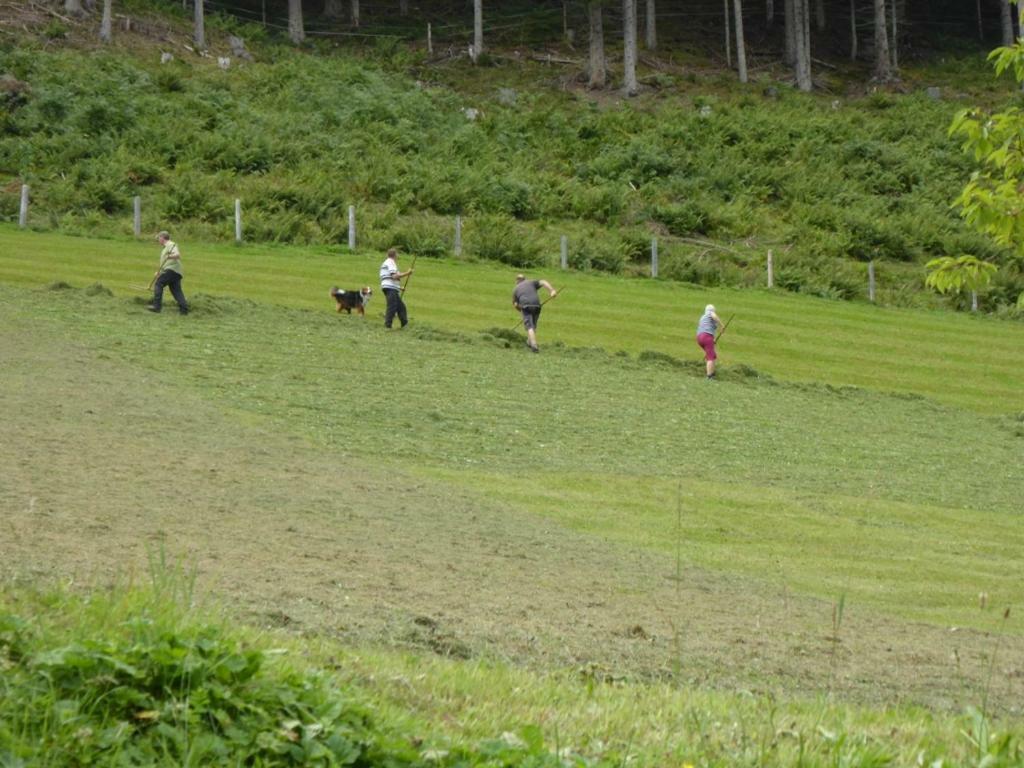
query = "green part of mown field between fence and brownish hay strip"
{"x": 800, "y": 474}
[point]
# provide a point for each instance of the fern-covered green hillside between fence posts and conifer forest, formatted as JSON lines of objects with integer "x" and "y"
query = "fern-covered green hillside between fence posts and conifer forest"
{"x": 718, "y": 174}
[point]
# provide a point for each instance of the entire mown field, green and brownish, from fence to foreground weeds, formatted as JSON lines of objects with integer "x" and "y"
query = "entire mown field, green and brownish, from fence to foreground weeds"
{"x": 592, "y": 514}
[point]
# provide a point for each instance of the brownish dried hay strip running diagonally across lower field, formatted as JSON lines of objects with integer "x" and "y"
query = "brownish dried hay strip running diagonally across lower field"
{"x": 103, "y": 464}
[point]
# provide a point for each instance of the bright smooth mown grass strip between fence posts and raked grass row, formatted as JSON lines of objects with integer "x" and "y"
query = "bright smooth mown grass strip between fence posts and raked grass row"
{"x": 968, "y": 362}
